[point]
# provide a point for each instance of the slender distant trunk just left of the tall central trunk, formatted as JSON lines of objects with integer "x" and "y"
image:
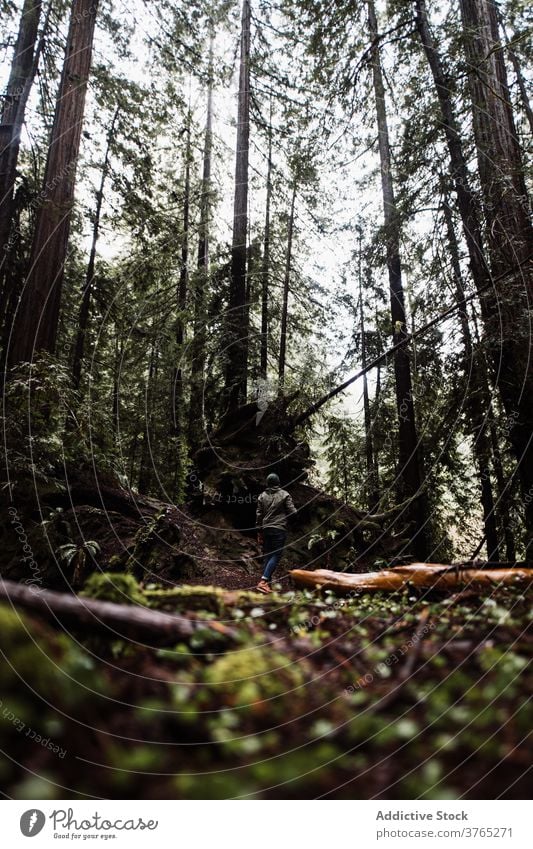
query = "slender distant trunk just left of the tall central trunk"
{"x": 195, "y": 429}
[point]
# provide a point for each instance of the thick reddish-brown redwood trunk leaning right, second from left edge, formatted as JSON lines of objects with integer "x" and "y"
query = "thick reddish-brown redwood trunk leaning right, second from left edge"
{"x": 38, "y": 314}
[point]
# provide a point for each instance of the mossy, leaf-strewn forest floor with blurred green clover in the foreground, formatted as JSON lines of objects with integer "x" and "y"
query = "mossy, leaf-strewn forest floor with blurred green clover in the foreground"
{"x": 301, "y": 695}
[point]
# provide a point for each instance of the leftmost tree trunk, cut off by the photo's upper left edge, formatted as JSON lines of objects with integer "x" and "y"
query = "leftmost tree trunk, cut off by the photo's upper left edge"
{"x": 22, "y": 74}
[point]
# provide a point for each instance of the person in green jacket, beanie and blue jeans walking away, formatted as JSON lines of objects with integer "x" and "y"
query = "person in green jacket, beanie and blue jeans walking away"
{"x": 274, "y": 506}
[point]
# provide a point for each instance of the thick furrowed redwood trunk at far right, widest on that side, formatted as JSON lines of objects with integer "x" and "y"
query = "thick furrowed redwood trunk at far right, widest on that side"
{"x": 509, "y": 234}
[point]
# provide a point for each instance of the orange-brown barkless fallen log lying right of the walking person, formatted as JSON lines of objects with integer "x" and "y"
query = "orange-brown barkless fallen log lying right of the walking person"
{"x": 426, "y": 576}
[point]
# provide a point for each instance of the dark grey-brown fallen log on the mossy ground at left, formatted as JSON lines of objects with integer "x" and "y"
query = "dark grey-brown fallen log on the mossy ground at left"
{"x": 118, "y": 621}
